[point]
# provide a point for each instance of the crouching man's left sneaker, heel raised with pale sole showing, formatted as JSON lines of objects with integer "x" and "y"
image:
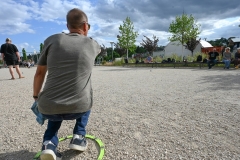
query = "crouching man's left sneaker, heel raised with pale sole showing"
{"x": 49, "y": 152}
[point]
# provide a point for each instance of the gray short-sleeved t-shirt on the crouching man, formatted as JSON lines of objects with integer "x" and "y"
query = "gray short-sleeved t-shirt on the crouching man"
{"x": 69, "y": 59}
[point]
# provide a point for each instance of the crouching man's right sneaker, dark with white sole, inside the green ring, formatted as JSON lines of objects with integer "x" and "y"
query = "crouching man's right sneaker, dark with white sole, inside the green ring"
{"x": 78, "y": 142}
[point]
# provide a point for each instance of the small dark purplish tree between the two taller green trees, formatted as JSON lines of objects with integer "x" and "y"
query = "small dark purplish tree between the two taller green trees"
{"x": 150, "y": 45}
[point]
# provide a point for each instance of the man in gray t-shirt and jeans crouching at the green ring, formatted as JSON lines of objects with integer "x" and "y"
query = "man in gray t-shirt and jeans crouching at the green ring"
{"x": 67, "y": 93}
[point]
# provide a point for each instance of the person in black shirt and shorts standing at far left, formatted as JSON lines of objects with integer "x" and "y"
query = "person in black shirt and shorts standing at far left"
{"x": 11, "y": 56}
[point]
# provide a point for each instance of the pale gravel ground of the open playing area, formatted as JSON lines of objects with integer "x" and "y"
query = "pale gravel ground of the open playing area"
{"x": 138, "y": 113}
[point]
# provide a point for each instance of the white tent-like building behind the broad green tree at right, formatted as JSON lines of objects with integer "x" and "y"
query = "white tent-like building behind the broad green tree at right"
{"x": 176, "y": 48}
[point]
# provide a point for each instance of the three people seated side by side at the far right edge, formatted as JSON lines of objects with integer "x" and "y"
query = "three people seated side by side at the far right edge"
{"x": 213, "y": 58}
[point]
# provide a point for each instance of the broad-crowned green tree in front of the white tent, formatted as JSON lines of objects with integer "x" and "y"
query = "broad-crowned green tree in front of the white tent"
{"x": 183, "y": 29}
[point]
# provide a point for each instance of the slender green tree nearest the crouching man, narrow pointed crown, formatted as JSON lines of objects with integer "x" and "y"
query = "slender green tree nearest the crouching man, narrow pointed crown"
{"x": 127, "y": 37}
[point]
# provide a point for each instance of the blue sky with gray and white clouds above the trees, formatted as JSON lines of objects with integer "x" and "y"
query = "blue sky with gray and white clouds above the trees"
{"x": 29, "y": 22}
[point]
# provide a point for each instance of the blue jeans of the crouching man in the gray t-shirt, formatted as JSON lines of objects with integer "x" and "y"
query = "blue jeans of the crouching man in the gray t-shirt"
{"x": 55, "y": 121}
